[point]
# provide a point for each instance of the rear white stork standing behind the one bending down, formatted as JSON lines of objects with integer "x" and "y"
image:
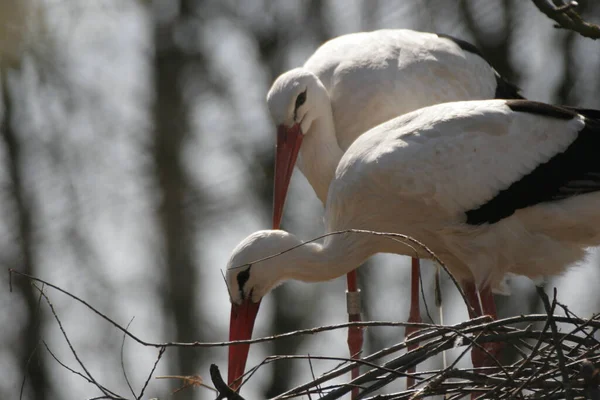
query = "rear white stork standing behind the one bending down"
{"x": 358, "y": 81}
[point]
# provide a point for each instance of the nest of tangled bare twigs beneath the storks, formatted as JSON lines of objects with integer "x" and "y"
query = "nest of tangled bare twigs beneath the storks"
{"x": 556, "y": 356}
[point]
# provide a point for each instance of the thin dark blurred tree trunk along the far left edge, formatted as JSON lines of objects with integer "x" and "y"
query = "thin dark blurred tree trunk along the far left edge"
{"x": 30, "y": 356}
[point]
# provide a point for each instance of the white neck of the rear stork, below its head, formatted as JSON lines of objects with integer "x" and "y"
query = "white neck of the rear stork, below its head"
{"x": 320, "y": 152}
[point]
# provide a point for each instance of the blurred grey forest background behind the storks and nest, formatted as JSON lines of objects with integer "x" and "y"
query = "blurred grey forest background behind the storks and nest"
{"x": 137, "y": 151}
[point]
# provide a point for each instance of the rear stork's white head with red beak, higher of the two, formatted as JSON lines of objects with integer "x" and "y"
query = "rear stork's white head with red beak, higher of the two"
{"x": 295, "y": 101}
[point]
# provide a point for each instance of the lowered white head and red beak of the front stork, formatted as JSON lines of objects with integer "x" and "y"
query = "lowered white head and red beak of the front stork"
{"x": 248, "y": 280}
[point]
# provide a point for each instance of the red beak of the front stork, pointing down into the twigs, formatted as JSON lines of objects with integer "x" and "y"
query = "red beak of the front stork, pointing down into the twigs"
{"x": 240, "y": 328}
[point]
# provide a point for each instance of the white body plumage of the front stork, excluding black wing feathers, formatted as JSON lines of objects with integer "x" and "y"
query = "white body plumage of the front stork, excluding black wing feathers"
{"x": 423, "y": 173}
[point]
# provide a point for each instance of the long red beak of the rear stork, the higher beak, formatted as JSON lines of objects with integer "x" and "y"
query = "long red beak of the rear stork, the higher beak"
{"x": 288, "y": 146}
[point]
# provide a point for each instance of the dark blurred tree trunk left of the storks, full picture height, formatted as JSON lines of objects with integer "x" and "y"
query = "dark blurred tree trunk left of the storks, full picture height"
{"x": 171, "y": 127}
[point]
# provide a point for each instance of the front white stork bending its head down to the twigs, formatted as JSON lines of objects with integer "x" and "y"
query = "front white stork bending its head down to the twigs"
{"x": 491, "y": 187}
